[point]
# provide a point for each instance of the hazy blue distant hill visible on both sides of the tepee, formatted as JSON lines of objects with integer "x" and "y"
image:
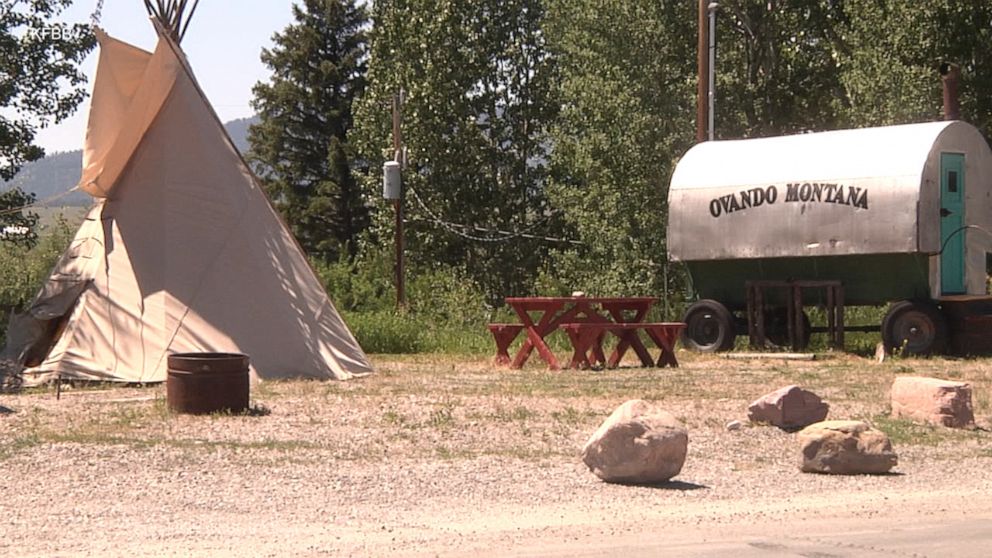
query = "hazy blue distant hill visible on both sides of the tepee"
{"x": 60, "y": 171}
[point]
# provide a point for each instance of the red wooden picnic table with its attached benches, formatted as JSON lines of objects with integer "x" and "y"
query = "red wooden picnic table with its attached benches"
{"x": 586, "y": 320}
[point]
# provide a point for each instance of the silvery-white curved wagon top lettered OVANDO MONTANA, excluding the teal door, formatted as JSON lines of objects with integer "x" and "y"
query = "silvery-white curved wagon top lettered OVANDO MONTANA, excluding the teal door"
{"x": 845, "y": 192}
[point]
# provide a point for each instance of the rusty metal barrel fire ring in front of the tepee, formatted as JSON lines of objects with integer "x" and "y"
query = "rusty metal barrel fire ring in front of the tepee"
{"x": 202, "y": 383}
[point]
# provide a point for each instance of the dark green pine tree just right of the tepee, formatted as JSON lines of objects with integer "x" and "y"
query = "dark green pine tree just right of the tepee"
{"x": 300, "y": 146}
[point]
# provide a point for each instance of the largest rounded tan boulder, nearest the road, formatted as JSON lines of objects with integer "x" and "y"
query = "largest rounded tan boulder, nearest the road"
{"x": 637, "y": 444}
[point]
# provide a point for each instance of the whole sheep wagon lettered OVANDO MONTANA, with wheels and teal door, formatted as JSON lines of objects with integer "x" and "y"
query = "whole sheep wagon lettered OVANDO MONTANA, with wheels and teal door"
{"x": 897, "y": 214}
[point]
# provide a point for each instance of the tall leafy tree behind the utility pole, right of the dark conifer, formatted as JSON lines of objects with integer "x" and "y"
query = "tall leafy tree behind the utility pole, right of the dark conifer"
{"x": 480, "y": 96}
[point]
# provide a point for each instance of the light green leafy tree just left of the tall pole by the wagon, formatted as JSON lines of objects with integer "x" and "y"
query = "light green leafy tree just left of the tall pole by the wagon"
{"x": 627, "y": 92}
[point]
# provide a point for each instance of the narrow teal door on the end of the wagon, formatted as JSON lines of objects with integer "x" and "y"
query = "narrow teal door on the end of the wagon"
{"x": 951, "y": 222}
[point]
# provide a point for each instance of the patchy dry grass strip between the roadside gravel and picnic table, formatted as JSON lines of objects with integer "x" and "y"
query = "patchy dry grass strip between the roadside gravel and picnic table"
{"x": 454, "y": 407}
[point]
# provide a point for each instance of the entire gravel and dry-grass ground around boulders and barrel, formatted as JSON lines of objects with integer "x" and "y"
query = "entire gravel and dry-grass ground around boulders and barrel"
{"x": 446, "y": 456}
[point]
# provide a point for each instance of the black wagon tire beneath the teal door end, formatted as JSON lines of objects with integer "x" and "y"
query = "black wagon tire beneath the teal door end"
{"x": 914, "y": 328}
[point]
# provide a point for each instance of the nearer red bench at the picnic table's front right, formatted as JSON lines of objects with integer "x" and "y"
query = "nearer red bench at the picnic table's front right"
{"x": 588, "y": 336}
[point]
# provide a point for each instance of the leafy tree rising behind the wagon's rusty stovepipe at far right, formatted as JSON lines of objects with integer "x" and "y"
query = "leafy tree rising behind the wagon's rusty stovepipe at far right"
{"x": 891, "y": 53}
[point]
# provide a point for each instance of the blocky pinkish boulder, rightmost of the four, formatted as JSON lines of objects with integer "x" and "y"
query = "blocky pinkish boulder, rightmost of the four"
{"x": 933, "y": 400}
